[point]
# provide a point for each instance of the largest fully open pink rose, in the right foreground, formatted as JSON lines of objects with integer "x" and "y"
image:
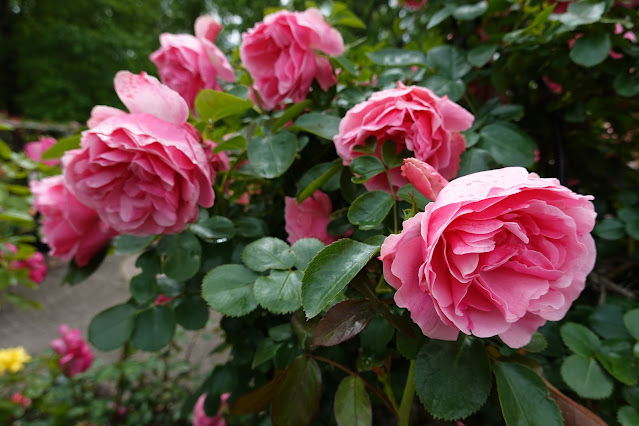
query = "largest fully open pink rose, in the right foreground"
{"x": 498, "y": 253}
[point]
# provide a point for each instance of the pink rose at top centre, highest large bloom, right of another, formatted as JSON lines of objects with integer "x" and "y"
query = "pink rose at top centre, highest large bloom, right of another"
{"x": 281, "y": 55}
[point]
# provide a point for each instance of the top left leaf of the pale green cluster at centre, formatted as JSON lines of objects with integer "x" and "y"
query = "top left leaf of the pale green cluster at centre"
{"x": 268, "y": 253}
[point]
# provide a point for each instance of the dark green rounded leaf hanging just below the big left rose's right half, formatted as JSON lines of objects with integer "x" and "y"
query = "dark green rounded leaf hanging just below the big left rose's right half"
{"x": 183, "y": 255}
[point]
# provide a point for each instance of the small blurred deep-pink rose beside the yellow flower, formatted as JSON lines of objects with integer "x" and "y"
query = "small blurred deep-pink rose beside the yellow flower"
{"x": 76, "y": 355}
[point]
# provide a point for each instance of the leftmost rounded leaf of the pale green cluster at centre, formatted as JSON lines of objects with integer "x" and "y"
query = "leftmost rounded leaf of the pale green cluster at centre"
{"x": 229, "y": 290}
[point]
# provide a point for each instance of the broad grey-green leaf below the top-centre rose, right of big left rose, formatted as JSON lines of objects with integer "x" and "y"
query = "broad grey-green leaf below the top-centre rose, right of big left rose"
{"x": 270, "y": 156}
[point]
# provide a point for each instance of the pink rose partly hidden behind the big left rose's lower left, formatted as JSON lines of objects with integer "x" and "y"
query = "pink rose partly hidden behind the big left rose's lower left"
{"x": 69, "y": 228}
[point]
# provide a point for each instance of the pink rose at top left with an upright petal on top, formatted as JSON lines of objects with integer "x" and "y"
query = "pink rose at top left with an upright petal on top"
{"x": 188, "y": 64}
